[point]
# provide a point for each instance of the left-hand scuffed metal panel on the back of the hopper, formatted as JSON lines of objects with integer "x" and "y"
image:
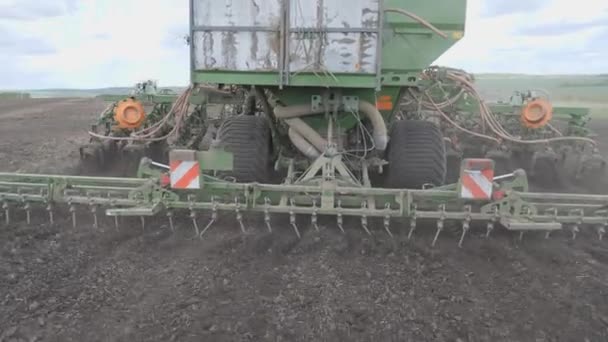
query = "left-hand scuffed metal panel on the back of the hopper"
{"x": 236, "y": 35}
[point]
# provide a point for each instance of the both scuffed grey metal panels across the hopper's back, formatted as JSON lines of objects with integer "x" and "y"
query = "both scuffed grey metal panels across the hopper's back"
{"x": 324, "y": 35}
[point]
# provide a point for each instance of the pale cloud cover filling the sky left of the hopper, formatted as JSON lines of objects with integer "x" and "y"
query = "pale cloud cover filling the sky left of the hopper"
{"x": 97, "y": 45}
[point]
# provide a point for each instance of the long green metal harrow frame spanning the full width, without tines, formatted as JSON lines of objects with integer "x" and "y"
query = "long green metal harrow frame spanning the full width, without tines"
{"x": 145, "y": 197}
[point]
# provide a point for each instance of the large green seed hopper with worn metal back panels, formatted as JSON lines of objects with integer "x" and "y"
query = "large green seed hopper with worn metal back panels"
{"x": 371, "y": 45}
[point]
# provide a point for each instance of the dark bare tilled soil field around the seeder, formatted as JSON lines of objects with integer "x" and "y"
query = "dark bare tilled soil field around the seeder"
{"x": 58, "y": 283}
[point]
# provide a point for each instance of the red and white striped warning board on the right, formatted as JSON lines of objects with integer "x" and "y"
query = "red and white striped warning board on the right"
{"x": 477, "y": 179}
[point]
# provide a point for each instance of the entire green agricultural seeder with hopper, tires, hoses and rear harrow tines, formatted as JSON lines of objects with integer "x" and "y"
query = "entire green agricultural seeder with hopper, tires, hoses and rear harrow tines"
{"x": 315, "y": 109}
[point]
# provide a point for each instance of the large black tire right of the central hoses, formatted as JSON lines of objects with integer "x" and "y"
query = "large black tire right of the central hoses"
{"x": 416, "y": 156}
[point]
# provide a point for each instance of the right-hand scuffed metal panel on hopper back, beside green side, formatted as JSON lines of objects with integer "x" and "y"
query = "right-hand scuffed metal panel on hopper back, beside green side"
{"x": 334, "y": 36}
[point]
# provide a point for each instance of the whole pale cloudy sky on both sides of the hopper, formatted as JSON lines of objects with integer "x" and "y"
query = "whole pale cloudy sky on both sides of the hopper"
{"x": 105, "y": 43}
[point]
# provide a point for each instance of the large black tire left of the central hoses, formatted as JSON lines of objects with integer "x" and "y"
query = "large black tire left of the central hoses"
{"x": 249, "y": 139}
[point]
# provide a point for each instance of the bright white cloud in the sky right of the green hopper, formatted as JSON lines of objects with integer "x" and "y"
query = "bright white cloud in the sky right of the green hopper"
{"x": 556, "y": 38}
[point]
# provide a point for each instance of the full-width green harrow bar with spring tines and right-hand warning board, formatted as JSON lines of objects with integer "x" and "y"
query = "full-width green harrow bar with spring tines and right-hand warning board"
{"x": 479, "y": 199}
